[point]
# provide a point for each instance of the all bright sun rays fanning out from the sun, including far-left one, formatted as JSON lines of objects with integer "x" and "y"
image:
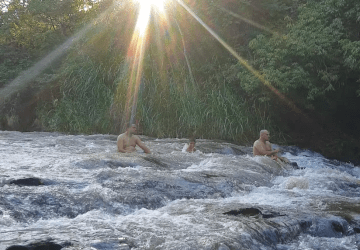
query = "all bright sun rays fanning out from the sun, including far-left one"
{"x": 169, "y": 40}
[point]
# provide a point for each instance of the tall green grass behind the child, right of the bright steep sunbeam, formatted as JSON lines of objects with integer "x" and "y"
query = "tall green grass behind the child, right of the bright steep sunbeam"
{"x": 212, "y": 111}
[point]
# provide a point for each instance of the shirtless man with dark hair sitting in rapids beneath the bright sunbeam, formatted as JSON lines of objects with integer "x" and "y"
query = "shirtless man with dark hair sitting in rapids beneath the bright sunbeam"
{"x": 127, "y": 141}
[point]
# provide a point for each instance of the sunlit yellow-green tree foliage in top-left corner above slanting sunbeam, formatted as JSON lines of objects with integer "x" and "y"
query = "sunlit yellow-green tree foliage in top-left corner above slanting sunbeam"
{"x": 30, "y": 29}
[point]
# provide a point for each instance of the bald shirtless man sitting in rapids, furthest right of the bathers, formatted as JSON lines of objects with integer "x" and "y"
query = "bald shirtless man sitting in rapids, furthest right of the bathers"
{"x": 262, "y": 146}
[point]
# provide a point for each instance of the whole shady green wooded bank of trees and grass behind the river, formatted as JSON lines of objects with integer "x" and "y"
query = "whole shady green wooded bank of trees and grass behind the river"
{"x": 290, "y": 66}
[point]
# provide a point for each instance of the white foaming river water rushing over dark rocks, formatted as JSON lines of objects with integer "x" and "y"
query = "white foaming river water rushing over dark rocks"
{"x": 220, "y": 197}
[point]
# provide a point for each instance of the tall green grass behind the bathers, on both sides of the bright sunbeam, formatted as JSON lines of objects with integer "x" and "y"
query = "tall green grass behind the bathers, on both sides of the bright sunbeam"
{"x": 94, "y": 102}
